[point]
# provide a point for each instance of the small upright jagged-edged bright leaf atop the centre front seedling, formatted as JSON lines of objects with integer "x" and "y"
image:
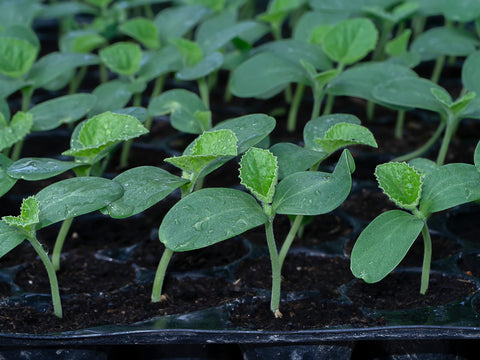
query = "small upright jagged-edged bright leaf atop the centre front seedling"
{"x": 259, "y": 173}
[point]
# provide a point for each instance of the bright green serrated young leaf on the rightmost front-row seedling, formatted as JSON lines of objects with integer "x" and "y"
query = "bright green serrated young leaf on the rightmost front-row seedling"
{"x": 401, "y": 183}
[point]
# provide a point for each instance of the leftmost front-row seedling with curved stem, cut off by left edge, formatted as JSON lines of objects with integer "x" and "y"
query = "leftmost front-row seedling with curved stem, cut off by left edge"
{"x": 57, "y": 202}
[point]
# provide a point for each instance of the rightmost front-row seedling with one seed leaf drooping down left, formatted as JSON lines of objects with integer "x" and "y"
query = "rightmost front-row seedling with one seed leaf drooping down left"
{"x": 386, "y": 240}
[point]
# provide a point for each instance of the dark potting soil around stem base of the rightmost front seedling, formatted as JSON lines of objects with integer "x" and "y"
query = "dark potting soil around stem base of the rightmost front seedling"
{"x": 398, "y": 291}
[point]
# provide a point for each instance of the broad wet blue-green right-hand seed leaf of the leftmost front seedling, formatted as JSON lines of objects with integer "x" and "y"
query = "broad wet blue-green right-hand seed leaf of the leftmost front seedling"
{"x": 76, "y": 196}
